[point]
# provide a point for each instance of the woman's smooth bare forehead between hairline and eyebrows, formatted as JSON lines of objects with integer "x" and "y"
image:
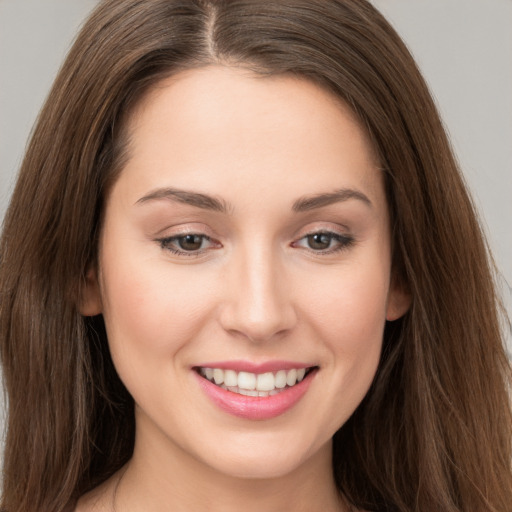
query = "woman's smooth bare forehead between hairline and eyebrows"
{"x": 232, "y": 125}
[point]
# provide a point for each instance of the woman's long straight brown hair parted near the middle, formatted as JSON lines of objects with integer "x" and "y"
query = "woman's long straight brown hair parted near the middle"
{"x": 434, "y": 431}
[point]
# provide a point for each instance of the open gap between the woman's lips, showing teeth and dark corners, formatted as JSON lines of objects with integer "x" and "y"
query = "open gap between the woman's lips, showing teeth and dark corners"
{"x": 255, "y": 384}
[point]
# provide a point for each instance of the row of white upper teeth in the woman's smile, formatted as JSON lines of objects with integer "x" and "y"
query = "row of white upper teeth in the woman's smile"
{"x": 260, "y": 382}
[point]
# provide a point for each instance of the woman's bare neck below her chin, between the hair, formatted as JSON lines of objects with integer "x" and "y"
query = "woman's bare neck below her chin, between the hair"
{"x": 162, "y": 476}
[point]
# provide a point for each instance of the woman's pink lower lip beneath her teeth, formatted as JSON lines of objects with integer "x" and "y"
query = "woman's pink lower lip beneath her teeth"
{"x": 254, "y": 407}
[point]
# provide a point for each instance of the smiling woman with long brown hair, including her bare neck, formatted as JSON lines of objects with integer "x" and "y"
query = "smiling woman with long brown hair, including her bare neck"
{"x": 236, "y": 198}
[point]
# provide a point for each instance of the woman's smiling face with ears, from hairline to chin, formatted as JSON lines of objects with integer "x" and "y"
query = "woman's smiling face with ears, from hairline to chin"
{"x": 247, "y": 242}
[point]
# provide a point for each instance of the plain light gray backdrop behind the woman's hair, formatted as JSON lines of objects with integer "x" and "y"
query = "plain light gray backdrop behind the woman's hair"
{"x": 464, "y": 48}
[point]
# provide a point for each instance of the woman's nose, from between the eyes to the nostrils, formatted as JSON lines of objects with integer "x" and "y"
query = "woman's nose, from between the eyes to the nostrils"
{"x": 259, "y": 305}
